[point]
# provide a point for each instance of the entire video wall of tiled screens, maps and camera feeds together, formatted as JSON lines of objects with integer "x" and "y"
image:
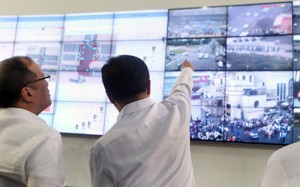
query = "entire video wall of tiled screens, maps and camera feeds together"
{"x": 246, "y": 59}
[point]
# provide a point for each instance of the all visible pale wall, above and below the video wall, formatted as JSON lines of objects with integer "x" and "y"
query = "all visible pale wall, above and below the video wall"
{"x": 215, "y": 164}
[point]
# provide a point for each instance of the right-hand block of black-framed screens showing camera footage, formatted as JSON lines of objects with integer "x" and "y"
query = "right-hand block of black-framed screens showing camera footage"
{"x": 245, "y": 83}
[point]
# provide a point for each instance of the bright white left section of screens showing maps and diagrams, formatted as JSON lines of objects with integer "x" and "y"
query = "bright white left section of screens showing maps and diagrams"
{"x": 72, "y": 48}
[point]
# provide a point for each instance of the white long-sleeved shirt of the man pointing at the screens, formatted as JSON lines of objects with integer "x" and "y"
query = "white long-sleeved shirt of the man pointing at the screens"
{"x": 149, "y": 145}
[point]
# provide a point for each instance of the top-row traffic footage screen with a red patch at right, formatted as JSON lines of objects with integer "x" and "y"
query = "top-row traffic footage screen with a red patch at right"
{"x": 260, "y": 20}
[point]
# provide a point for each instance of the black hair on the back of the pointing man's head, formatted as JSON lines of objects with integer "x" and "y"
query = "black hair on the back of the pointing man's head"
{"x": 125, "y": 76}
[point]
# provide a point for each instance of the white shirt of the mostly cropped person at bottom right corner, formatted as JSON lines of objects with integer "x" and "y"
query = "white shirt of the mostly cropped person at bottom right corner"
{"x": 283, "y": 168}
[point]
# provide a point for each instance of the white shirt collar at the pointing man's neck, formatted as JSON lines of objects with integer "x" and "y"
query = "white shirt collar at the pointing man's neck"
{"x": 135, "y": 106}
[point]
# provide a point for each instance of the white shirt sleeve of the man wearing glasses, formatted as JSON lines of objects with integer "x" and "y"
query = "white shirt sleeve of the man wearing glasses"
{"x": 45, "y": 166}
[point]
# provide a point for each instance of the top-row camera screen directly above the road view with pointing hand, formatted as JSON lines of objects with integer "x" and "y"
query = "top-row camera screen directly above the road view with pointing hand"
{"x": 197, "y": 22}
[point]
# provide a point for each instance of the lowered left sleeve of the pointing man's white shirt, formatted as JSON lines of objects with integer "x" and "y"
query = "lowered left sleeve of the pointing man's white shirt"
{"x": 99, "y": 175}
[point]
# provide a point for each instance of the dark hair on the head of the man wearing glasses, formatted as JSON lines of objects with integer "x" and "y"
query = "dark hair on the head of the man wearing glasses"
{"x": 14, "y": 73}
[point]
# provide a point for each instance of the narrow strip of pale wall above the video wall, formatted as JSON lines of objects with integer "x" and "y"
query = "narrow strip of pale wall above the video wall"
{"x": 13, "y": 7}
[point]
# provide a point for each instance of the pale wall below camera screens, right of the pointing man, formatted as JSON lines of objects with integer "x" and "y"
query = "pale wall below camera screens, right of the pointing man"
{"x": 229, "y": 165}
